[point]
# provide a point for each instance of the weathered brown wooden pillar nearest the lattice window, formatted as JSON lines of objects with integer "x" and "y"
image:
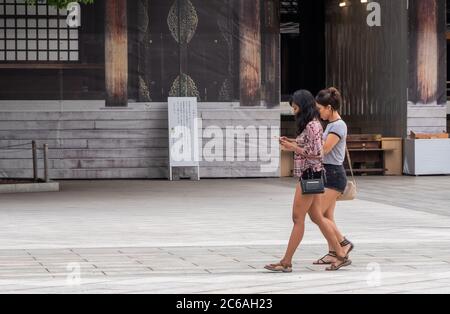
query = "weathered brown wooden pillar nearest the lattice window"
{"x": 116, "y": 53}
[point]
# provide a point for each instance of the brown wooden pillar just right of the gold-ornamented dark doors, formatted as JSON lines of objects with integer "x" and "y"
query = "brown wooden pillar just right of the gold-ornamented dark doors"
{"x": 250, "y": 52}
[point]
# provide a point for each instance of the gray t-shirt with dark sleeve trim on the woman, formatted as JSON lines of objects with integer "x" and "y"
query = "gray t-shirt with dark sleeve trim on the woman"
{"x": 337, "y": 155}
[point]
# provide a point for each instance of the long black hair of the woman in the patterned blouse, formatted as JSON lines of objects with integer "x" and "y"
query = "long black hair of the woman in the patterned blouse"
{"x": 308, "y": 110}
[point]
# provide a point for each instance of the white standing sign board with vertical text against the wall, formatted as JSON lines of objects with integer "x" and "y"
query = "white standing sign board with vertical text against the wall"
{"x": 183, "y": 133}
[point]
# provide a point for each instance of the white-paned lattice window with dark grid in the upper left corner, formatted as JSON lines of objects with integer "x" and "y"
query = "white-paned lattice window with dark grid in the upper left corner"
{"x": 36, "y": 33}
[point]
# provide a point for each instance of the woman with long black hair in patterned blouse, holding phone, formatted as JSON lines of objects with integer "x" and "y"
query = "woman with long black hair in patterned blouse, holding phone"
{"x": 308, "y": 149}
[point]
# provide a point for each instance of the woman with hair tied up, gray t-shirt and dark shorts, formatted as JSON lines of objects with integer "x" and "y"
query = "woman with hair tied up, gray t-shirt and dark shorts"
{"x": 335, "y": 139}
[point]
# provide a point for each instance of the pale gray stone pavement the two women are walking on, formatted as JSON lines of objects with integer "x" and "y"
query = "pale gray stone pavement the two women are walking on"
{"x": 215, "y": 236}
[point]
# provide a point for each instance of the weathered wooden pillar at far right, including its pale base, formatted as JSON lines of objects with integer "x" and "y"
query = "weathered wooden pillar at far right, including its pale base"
{"x": 427, "y": 95}
